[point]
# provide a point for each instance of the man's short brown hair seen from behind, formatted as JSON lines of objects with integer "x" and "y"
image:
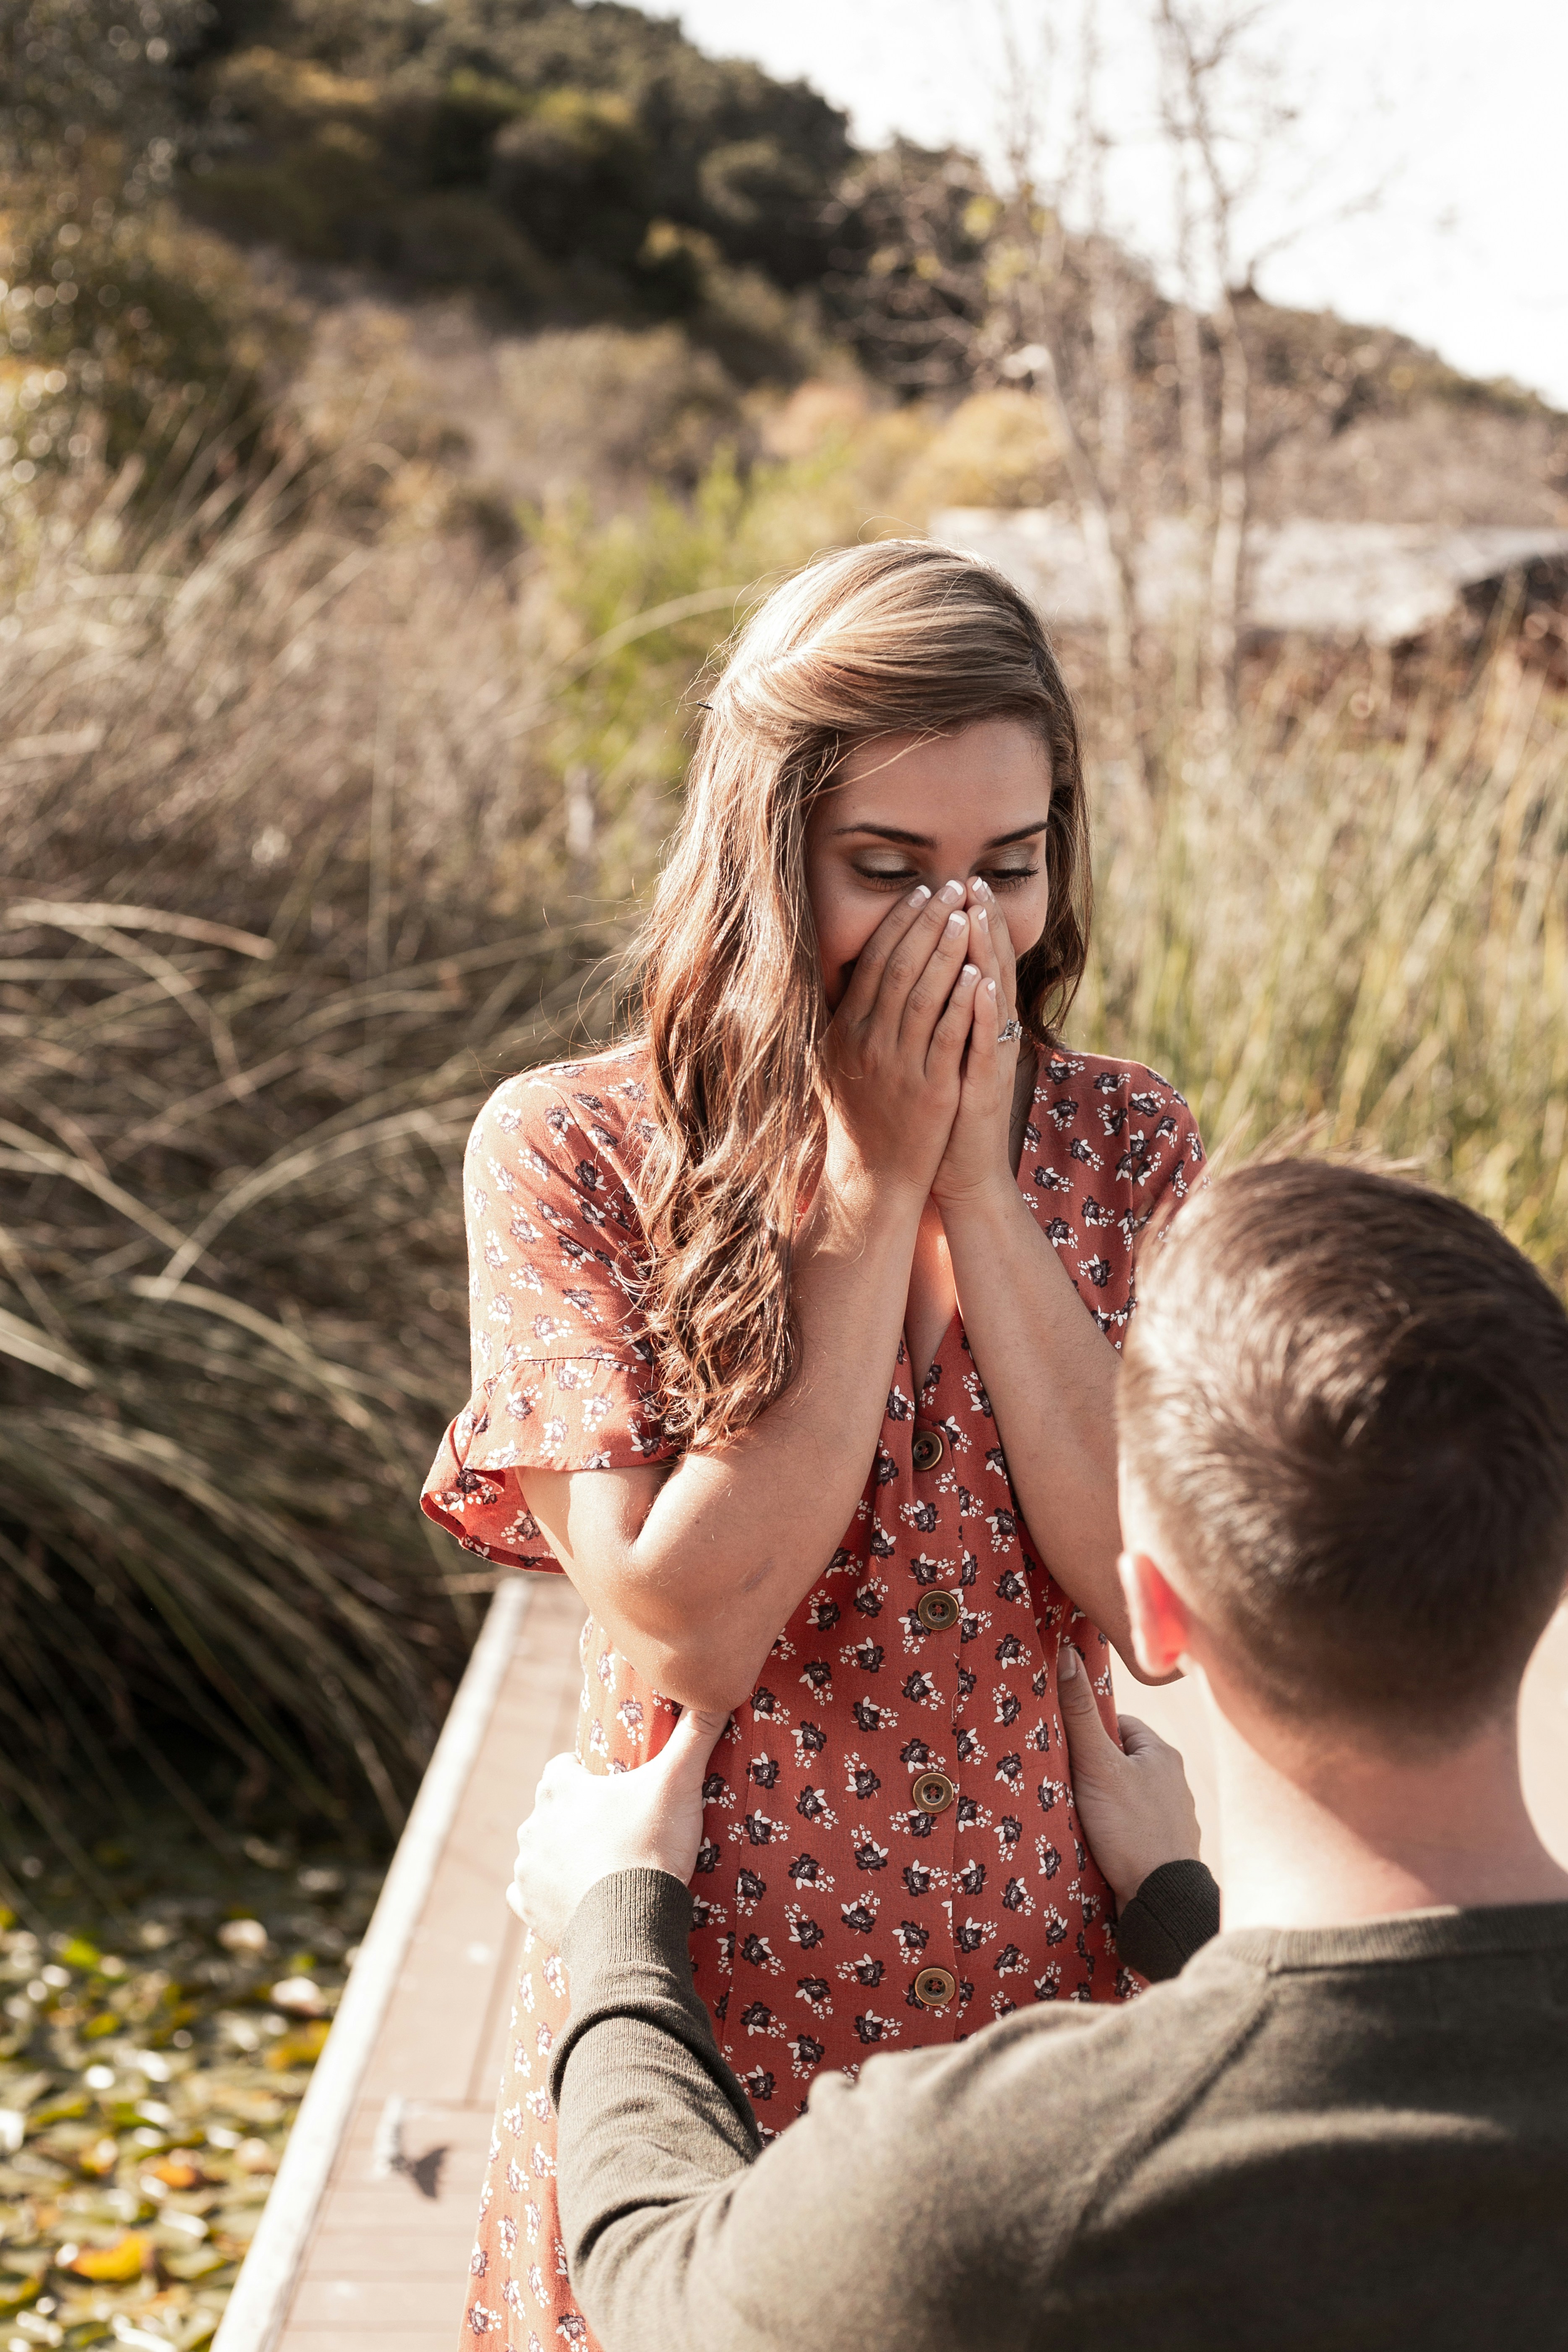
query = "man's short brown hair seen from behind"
{"x": 1346, "y": 1403}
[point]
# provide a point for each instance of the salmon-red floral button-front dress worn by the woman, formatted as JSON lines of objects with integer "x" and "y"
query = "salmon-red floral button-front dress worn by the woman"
{"x": 890, "y": 1845}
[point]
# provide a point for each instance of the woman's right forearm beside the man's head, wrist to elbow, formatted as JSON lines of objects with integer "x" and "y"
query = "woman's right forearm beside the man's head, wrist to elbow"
{"x": 1052, "y": 1384}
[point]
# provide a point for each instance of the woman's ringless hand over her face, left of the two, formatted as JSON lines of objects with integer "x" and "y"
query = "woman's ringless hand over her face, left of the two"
{"x": 897, "y": 1043}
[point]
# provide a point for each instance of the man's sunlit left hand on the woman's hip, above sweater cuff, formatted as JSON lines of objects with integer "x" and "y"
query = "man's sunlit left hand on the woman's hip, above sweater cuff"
{"x": 589, "y": 1824}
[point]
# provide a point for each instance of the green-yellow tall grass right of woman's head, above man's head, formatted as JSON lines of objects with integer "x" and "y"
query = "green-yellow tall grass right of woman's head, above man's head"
{"x": 1360, "y": 930}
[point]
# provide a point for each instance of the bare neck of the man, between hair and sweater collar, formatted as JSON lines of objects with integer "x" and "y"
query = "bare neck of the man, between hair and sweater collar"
{"x": 1325, "y": 1833}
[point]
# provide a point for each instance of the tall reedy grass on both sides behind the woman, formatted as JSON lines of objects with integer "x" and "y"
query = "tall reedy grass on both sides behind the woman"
{"x": 290, "y": 886}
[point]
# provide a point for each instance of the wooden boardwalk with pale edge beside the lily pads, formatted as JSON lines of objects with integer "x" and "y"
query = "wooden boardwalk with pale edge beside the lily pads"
{"x": 368, "y": 2233}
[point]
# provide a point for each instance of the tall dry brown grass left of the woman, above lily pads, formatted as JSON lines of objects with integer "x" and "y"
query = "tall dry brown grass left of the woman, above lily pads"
{"x": 272, "y": 829}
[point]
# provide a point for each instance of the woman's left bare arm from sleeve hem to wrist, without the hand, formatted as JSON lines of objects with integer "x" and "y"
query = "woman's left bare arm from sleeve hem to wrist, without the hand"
{"x": 697, "y": 1586}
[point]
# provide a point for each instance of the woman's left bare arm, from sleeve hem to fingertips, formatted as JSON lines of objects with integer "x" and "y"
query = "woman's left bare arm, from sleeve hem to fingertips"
{"x": 695, "y": 1572}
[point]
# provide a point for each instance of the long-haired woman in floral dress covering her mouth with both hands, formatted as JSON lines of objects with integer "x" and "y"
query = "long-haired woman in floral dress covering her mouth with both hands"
{"x": 796, "y": 1344}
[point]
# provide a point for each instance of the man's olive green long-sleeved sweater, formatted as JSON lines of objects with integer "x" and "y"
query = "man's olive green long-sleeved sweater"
{"x": 1308, "y": 2141}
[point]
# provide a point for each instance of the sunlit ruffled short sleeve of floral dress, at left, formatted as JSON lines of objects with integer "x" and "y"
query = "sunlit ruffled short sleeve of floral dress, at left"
{"x": 563, "y": 1372}
